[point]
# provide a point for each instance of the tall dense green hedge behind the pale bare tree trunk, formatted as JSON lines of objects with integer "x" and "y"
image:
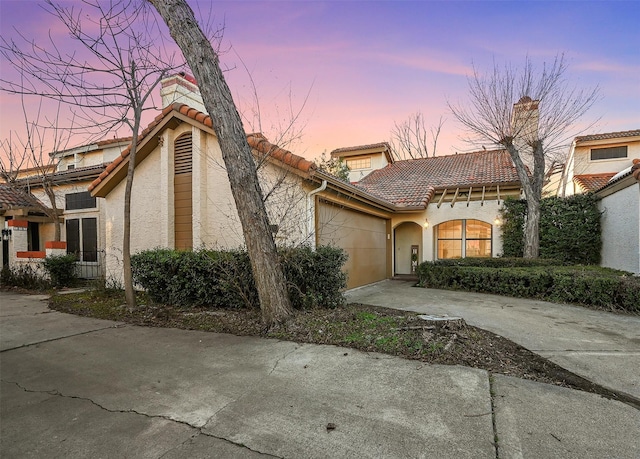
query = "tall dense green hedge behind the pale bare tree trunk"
{"x": 569, "y": 229}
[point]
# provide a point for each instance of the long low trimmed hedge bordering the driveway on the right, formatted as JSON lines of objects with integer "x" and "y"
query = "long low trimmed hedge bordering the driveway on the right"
{"x": 586, "y": 285}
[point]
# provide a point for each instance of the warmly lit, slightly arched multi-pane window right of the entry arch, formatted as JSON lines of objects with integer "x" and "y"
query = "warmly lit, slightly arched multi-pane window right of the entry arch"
{"x": 463, "y": 238}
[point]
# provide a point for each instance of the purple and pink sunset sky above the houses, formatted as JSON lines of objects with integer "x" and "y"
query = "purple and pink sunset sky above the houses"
{"x": 364, "y": 65}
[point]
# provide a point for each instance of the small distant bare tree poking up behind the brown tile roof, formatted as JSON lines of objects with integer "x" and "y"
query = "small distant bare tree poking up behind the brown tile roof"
{"x": 411, "y": 140}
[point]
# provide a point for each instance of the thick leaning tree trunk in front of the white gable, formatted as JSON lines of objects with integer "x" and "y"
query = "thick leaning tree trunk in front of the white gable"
{"x": 238, "y": 159}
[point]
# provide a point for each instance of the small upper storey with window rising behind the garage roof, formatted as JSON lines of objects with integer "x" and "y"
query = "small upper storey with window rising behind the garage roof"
{"x": 364, "y": 159}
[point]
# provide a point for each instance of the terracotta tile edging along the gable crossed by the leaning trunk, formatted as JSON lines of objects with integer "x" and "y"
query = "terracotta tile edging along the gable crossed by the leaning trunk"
{"x": 256, "y": 141}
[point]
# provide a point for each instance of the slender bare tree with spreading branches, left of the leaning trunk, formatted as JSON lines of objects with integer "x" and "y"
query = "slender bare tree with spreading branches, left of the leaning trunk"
{"x": 117, "y": 62}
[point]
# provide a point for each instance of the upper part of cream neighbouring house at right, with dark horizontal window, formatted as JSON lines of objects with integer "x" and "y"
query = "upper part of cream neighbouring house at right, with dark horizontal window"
{"x": 593, "y": 160}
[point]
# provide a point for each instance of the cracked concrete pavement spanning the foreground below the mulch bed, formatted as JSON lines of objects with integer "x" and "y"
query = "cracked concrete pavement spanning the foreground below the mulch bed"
{"x": 77, "y": 387}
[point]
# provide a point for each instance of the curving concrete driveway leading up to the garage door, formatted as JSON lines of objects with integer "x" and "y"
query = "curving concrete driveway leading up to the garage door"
{"x": 600, "y": 346}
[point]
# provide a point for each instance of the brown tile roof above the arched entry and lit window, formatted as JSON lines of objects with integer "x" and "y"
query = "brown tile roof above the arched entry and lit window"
{"x": 413, "y": 182}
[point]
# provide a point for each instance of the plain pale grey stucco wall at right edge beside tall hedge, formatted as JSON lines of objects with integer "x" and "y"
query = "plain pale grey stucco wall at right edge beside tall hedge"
{"x": 621, "y": 229}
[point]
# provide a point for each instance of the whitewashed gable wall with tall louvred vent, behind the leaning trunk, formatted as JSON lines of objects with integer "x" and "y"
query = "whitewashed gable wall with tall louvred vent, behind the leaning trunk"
{"x": 215, "y": 220}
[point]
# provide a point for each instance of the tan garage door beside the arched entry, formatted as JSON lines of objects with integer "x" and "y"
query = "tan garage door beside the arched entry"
{"x": 362, "y": 236}
